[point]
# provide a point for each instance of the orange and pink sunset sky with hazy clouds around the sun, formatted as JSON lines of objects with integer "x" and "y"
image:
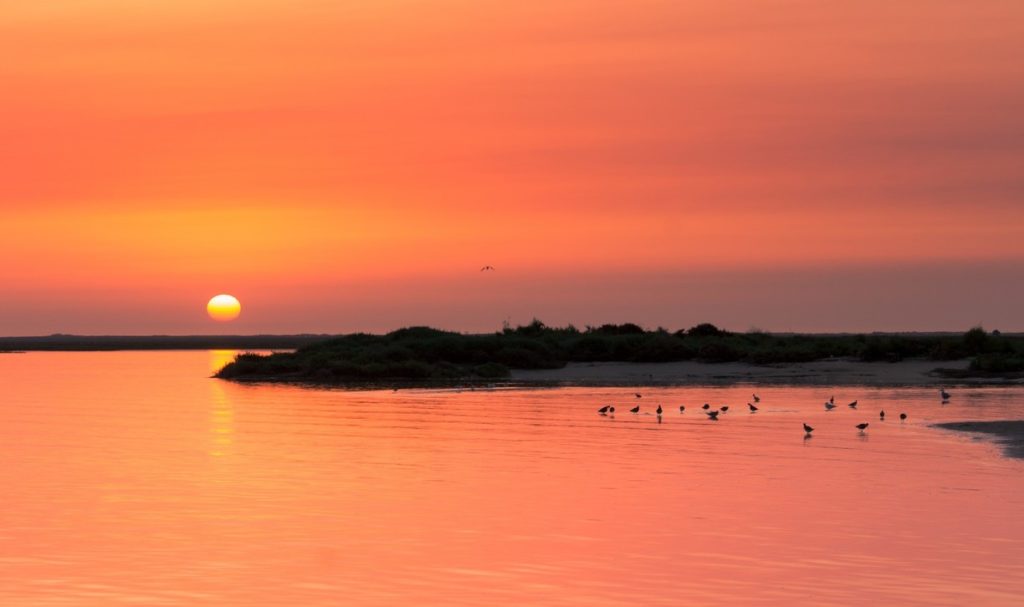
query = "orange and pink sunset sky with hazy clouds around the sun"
{"x": 345, "y": 166}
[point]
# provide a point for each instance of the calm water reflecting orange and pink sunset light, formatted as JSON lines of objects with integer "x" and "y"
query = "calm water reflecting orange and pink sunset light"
{"x": 131, "y": 479}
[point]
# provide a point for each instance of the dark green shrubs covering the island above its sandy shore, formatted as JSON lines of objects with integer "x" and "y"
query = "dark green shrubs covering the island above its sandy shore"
{"x": 424, "y": 355}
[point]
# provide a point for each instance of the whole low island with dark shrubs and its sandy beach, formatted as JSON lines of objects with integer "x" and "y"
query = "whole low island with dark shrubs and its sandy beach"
{"x": 538, "y": 354}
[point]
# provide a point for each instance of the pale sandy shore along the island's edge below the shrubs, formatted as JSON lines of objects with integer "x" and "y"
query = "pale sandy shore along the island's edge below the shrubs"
{"x": 824, "y": 373}
